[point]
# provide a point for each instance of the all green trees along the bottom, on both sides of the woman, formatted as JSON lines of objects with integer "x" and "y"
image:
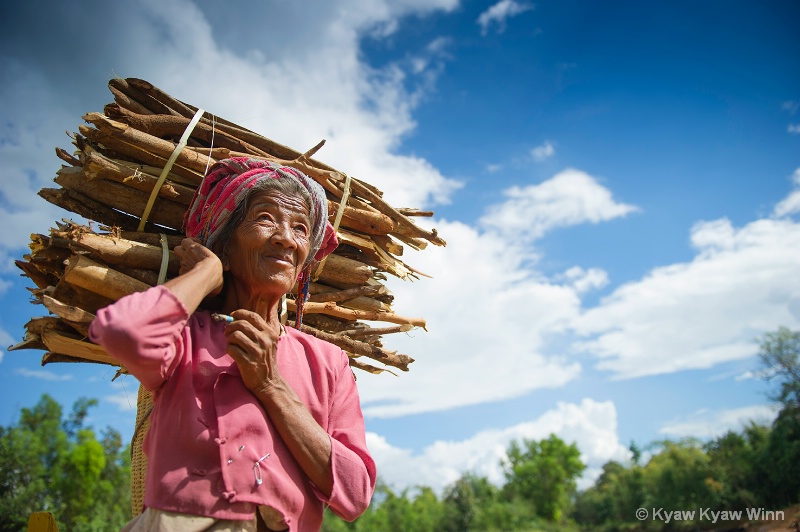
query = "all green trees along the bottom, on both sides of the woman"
{"x": 56, "y": 464}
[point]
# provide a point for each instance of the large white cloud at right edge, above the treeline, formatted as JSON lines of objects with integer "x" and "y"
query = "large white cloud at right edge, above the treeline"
{"x": 704, "y": 312}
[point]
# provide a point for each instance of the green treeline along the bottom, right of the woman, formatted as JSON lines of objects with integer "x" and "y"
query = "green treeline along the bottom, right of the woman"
{"x": 756, "y": 468}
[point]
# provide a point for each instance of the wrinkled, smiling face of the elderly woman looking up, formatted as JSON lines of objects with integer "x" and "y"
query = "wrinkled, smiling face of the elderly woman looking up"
{"x": 268, "y": 249}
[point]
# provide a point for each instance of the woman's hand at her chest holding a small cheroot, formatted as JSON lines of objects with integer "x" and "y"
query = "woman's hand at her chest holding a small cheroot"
{"x": 253, "y": 344}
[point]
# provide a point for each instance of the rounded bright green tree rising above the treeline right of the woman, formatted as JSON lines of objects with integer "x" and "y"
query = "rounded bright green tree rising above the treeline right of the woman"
{"x": 544, "y": 474}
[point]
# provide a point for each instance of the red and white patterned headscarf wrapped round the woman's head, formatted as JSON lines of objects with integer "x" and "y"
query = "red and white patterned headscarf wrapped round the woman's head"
{"x": 226, "y": 185}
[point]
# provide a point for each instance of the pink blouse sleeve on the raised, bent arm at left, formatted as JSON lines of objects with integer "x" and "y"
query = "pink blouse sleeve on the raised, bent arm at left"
{"x": 143, "y": 332}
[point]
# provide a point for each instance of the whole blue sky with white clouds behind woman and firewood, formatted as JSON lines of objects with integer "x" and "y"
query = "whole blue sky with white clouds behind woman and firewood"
{"x": 618, "y": 183}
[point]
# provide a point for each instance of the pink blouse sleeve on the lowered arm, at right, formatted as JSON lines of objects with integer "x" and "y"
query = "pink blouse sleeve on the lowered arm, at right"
{"x": 354, "y": 472}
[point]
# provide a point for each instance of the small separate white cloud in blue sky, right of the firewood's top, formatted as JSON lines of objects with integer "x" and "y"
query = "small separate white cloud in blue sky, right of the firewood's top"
{"x": 569, "y": 198}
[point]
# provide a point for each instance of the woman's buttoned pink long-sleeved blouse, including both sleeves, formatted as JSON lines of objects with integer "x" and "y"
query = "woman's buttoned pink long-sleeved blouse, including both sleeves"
{"x": 211, "y": 448}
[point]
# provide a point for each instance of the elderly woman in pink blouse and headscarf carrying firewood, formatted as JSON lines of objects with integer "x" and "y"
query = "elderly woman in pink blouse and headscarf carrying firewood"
{"x": 249, "y": 416}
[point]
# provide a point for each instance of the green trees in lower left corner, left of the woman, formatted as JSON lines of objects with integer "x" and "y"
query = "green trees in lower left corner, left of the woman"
{"x": 50, "y": 464}
